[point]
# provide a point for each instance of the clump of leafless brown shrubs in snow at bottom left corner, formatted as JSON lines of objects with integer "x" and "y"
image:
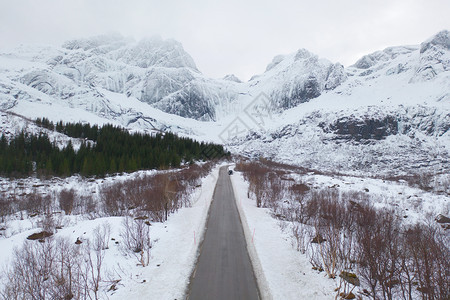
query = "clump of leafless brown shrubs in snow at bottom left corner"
{"x": 54, "y": 269}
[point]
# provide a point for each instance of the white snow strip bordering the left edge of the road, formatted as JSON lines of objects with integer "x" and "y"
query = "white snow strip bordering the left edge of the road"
{"x": 175, "y": 252}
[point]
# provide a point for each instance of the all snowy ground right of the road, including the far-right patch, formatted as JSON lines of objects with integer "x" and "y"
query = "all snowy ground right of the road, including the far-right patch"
{"x": 285, "y": 273}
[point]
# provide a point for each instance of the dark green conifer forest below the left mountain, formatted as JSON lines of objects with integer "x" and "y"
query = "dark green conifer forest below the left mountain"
{"x": 104, "y": 150}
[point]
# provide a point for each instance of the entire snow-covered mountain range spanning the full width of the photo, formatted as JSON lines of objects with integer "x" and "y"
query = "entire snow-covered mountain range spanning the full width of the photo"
{"x": 390, "y": 110}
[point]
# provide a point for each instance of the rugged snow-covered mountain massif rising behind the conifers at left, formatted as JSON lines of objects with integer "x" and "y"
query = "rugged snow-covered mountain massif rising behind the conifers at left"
{"x": 155, "y": 71}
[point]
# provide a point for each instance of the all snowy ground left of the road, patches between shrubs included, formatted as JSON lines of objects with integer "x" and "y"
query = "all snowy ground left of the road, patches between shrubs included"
{"x": 173, "y": 253}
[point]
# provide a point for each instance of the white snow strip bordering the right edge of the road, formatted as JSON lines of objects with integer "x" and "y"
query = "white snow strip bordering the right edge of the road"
{"x": 282, "y": 272}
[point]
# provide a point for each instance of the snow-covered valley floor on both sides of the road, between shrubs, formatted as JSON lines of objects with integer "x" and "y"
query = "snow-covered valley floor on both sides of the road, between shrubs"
{"x": 282, "y": 272}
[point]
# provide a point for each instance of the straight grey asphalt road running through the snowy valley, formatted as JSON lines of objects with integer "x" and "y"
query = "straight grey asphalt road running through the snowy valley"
{"x": 224, "y": 270}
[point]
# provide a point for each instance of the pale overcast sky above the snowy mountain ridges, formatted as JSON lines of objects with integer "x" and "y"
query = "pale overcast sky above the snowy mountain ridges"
{"x": 232, "y": 36}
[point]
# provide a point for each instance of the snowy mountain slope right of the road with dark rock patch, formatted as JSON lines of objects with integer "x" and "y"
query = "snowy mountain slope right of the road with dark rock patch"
{"x": 390, "y": 116}
